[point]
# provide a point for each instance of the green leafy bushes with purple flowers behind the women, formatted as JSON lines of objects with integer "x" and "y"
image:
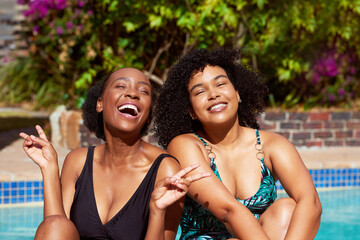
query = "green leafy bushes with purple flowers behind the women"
{"x": 308, "y": 50}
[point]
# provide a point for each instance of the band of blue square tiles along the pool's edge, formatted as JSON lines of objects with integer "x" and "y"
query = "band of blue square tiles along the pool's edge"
{"x": 32, "y": 191}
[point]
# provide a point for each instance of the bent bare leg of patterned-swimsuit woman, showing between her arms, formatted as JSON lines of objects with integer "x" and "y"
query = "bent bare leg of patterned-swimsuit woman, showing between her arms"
{"x": 276, "y": 219}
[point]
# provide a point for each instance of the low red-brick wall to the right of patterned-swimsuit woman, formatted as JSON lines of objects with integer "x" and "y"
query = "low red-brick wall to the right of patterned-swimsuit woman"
{"x": 315, "y": 129}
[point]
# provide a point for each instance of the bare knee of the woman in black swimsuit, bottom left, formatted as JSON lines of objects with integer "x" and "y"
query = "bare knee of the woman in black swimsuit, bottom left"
{"x": 56, "y": 227}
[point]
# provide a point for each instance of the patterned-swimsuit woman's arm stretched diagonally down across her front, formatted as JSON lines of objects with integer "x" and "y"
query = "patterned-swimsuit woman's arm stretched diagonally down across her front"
{"x": 218, "y": 200}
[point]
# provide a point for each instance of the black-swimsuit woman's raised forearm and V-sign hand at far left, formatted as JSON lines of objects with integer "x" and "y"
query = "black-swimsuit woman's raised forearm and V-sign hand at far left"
{"x": 40, "y": 150}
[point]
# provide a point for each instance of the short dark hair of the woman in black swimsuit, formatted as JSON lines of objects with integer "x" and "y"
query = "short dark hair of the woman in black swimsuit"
{"x": 93, "y": 120}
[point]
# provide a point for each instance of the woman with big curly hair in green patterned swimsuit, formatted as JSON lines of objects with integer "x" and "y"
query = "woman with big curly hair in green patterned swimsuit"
{"x": 207, "y": 113}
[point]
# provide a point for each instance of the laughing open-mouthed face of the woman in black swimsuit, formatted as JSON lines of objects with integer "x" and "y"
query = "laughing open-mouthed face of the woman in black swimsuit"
{"x": 126, "y": 101}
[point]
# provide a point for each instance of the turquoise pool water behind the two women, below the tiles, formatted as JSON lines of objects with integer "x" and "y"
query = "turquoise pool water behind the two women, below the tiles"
{"x": 340, "y": 219}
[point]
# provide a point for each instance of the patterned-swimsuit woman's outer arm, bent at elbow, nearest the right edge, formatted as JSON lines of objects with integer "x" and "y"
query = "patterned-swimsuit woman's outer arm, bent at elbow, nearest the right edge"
{"x": 297, "y": 182}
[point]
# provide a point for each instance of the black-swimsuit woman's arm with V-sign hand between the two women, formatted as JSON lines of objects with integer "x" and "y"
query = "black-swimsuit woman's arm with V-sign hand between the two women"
{"x": 167, "y": 199}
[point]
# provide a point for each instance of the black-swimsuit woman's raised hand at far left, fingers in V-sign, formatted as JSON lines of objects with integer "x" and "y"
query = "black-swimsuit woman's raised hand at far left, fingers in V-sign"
{"x": 39, "y": 149}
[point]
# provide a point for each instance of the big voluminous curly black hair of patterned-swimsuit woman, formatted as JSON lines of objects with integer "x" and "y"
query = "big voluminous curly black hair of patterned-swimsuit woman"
{"x": 172, "y": 116}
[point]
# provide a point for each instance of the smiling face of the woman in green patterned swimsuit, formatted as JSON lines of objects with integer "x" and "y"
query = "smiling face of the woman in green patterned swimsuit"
{"x": 213, "y": 97}
